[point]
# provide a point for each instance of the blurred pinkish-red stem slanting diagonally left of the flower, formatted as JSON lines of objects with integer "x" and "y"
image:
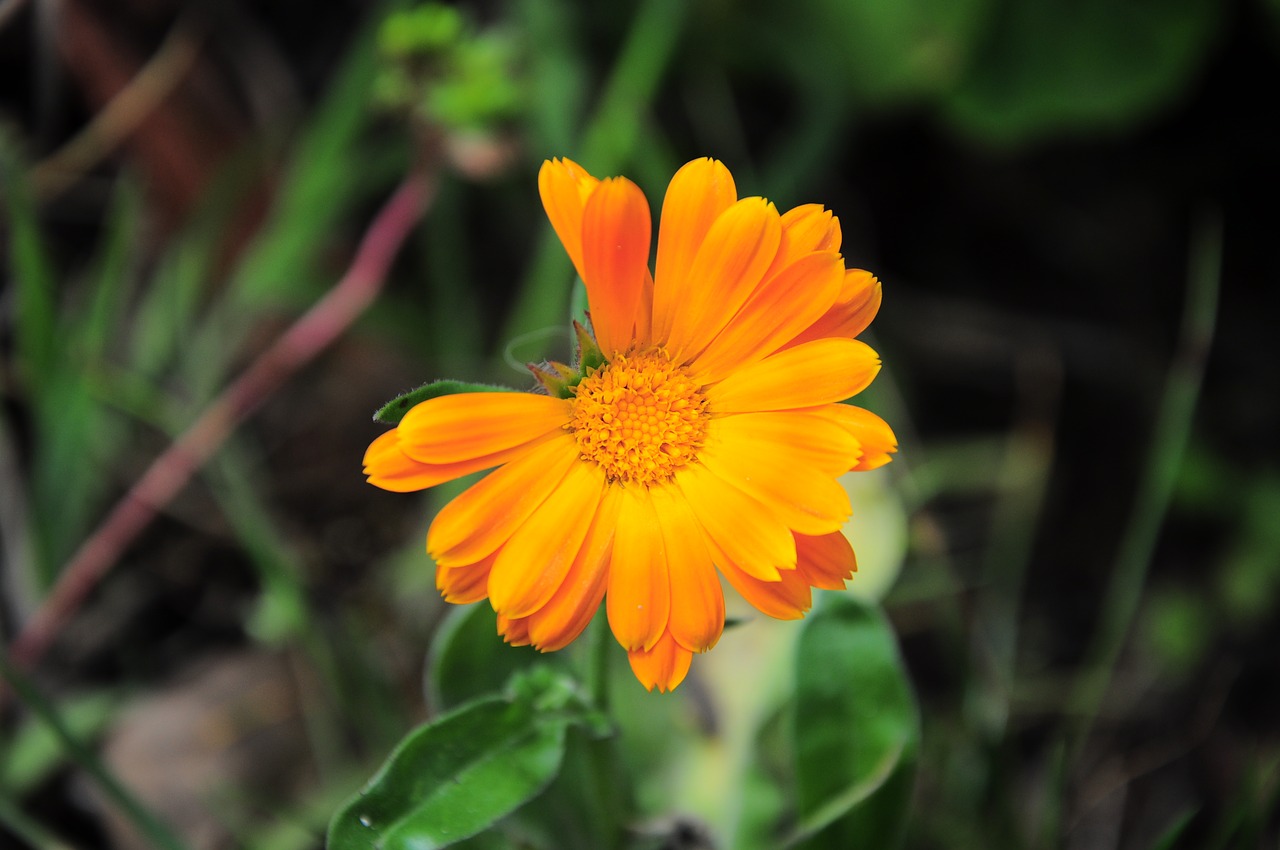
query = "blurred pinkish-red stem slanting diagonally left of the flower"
{"x": 171, "y": 473}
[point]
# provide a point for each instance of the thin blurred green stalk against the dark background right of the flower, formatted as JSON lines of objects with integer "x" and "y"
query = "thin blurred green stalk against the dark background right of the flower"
{"x": 1168, "y": 449}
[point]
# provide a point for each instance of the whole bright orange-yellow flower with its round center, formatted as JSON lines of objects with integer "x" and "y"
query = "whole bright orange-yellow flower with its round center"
{"x": 705, "y": 433}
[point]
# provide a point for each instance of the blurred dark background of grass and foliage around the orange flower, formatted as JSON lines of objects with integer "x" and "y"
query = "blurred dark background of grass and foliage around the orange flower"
{"x": 1072, "y": 207}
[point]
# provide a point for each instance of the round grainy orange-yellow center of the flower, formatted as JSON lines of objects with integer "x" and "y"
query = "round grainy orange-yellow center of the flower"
{"x": 641, "y": 418}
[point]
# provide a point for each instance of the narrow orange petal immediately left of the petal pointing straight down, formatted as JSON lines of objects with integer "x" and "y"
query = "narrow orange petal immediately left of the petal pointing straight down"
{"x": 557, "y": 624}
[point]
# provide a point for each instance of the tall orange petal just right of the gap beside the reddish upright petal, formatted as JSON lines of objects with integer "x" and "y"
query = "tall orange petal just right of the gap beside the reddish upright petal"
{"x": 698, "y": 194}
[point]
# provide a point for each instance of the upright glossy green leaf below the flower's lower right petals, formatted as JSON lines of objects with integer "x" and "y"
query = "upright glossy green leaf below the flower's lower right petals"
{"x": 857, "y": 730}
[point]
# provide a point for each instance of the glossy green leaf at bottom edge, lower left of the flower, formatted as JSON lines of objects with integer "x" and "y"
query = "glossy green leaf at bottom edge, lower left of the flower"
{"x": 458, "y": 776}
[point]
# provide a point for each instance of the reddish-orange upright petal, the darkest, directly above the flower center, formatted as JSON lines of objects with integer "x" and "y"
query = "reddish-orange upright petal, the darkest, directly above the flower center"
{"x": 616, "y": 231}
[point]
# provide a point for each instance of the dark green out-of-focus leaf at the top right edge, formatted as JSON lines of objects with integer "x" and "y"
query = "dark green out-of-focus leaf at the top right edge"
{"x": 1059, "y": 65}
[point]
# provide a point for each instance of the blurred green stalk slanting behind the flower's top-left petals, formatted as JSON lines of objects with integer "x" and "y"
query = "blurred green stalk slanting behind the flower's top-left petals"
{"x": 609, "y": 143}
